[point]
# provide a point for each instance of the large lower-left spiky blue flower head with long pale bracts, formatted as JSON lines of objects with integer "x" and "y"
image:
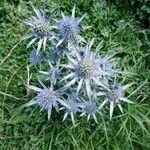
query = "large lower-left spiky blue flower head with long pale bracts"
{"x": 47, "y": 98}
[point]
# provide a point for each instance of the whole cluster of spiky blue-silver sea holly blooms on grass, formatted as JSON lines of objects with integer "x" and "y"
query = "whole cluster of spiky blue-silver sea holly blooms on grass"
{"x": 81, "y": 81}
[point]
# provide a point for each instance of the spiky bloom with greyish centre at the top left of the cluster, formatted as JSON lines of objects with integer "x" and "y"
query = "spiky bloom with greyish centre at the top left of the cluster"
{"x": 40, "y": 28}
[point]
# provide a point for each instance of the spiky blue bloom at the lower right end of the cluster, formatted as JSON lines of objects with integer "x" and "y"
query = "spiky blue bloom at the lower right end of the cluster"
{"x": 115, "y": 96}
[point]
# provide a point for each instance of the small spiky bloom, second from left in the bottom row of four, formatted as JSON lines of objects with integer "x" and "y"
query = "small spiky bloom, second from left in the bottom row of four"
{"x": 73, "y": 105}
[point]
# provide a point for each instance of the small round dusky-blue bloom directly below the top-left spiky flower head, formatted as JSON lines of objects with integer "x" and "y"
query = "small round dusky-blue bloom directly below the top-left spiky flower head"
{"x": 35, "y": 58}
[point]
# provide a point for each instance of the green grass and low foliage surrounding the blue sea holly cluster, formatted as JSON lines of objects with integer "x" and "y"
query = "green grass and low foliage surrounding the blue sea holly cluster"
{"x": 28, "y": 128}
